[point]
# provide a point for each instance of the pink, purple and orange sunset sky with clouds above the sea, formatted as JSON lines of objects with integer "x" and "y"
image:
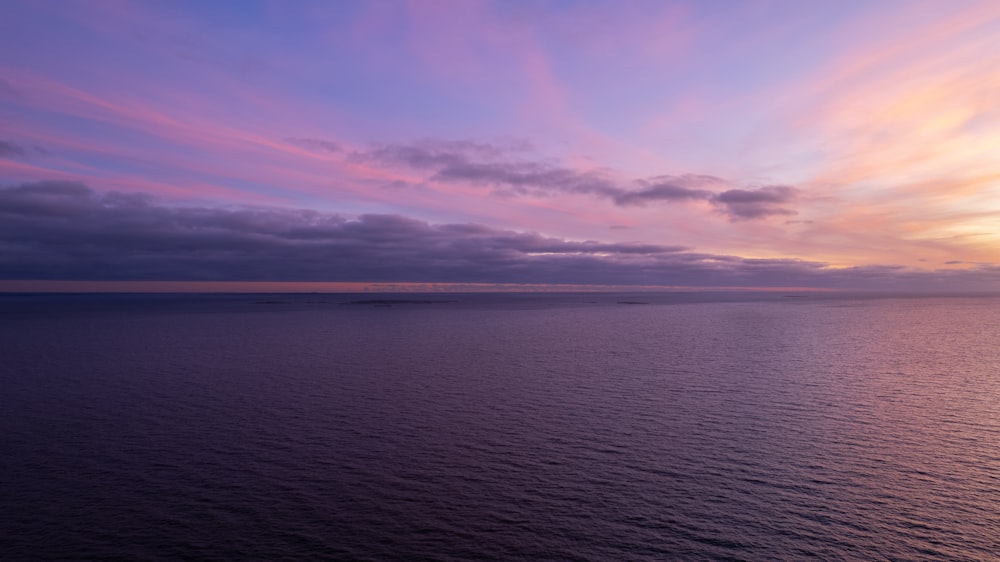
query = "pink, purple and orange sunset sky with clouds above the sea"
{"x": 704, "y": 143}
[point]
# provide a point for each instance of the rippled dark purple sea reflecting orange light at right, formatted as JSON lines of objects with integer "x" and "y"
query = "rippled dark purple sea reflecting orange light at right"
{"x": 526, "y": 427}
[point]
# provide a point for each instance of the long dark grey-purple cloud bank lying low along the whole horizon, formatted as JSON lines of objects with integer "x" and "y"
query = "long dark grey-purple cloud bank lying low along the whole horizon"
{"x": 65, "y": 230}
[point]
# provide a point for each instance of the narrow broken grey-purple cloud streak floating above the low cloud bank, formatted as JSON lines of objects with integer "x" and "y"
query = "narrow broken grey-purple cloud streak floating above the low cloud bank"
{"x": 500, "y": 168}
